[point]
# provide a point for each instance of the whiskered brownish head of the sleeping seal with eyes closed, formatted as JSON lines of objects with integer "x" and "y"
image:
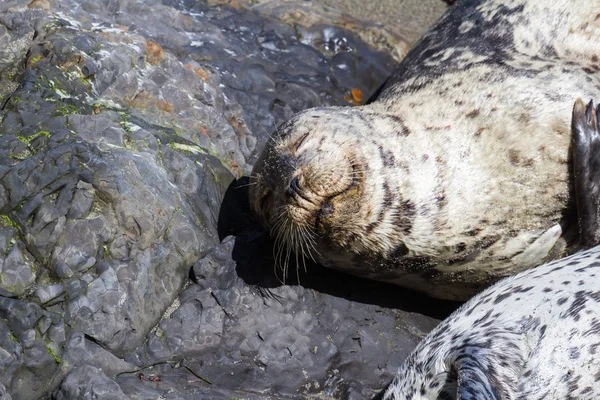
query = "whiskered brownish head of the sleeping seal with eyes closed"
{"x": 316, "y": 179}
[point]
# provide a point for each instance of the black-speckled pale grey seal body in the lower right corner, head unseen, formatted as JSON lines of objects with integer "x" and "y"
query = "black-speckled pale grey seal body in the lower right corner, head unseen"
{"x": 532, "y": 336}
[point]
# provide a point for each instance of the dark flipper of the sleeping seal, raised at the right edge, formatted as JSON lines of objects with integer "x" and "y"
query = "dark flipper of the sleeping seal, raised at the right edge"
{"x": 586, "y": 170}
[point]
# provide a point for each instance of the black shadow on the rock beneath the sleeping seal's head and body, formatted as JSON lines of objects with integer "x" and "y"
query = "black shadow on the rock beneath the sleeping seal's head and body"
{"x": 253, "y": 253}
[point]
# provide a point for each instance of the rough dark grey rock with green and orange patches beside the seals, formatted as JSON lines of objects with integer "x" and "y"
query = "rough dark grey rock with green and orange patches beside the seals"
{"x": 123, "y": 125}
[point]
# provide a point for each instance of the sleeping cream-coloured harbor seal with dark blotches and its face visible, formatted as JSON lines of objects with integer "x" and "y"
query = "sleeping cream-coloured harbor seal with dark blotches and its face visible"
{"x": 463, "y": 170}
